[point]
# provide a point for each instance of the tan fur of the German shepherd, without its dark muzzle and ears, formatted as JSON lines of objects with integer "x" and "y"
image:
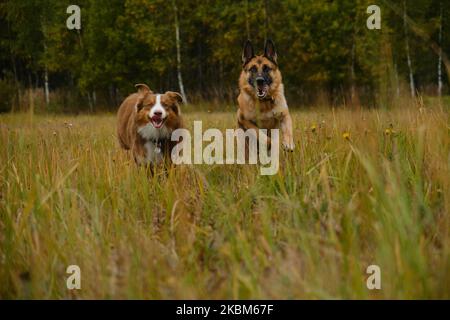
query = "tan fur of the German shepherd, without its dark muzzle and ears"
{"x": 270, "y": 113}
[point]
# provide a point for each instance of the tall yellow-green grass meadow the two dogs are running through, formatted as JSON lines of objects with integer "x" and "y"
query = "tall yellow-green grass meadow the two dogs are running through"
{"x": 362, "y": 188}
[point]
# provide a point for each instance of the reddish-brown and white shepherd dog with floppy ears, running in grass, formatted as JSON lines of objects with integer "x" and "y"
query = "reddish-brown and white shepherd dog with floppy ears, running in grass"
{"x": 145, "y": 122}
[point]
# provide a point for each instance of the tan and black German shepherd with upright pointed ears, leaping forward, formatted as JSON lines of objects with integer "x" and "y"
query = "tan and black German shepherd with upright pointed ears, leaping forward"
{"x": 261, "y": 99}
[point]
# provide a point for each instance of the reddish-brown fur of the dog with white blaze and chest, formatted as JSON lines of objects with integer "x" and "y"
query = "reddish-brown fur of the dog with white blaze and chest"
{"x": 133, "y": 115}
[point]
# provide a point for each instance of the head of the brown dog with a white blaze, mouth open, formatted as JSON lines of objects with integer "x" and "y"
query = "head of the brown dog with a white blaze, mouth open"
{"x": 157, "y": 115}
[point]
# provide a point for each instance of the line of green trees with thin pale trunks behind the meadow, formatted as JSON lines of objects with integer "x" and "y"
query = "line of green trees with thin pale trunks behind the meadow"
{"x": 326, "y": 52}
